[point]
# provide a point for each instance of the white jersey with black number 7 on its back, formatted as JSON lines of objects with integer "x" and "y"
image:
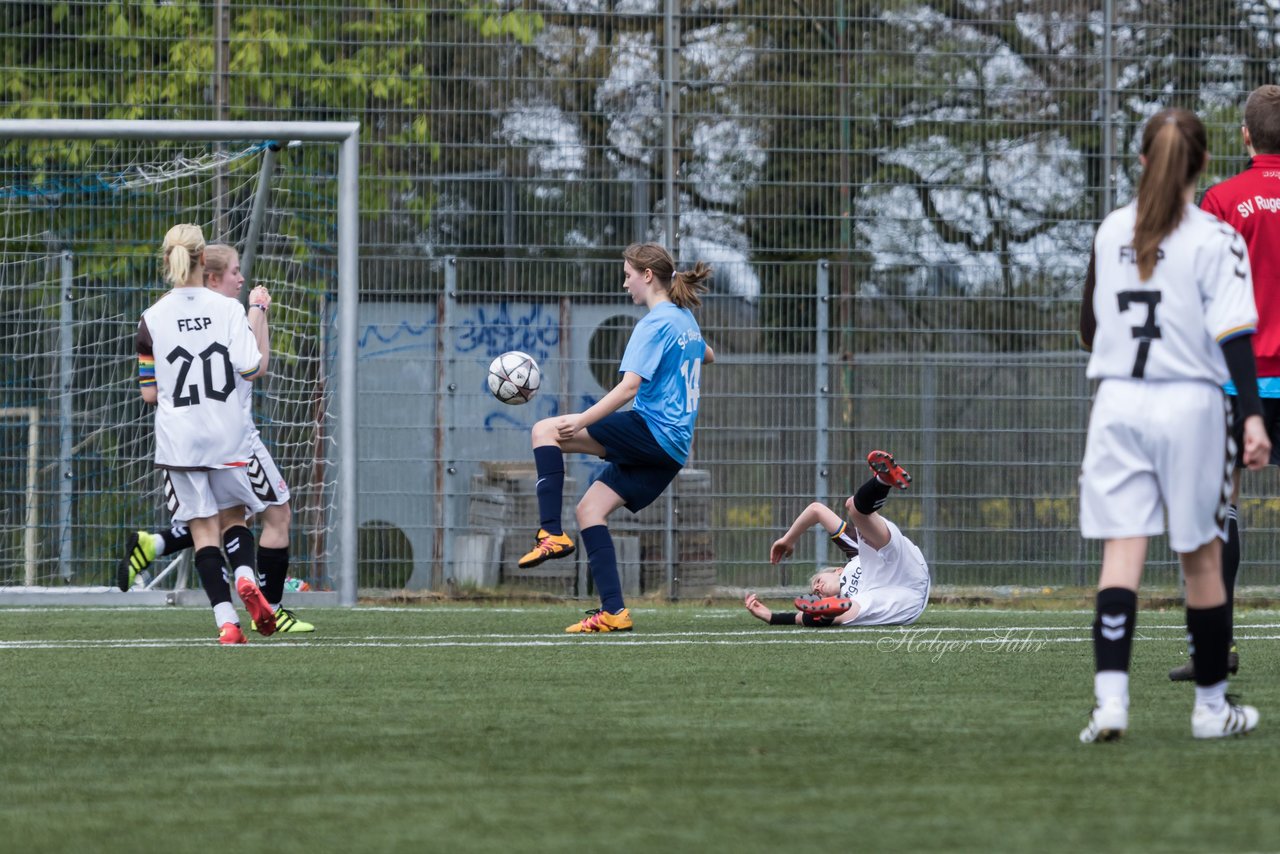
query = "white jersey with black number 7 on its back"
{"x": 1171, "y": 327}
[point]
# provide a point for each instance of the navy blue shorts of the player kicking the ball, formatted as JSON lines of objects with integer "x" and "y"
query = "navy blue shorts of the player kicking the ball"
{"x": 639, "y": 469}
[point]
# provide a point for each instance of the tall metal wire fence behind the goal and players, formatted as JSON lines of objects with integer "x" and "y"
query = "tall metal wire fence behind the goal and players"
{"x": 898, "y": 199}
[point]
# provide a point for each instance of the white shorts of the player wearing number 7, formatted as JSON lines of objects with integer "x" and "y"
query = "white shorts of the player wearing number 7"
{"x": 1156, "y": 450}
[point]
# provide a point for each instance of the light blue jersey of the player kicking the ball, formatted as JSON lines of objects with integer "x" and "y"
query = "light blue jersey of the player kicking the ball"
{"x": 668, "y": 350}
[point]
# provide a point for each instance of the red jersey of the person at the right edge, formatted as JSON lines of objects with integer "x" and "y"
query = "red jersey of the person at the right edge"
{"x": 1251, "y": 204}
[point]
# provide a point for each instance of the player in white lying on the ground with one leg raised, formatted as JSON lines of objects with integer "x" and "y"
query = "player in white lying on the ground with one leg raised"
{"x": 886, "y": 581}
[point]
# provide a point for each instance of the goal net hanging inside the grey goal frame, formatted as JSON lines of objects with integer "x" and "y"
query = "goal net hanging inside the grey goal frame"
{"x": 81, "y": 226}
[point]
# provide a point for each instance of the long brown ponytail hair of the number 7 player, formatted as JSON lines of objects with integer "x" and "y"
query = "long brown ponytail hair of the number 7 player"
{"x": 1176, "y": 147}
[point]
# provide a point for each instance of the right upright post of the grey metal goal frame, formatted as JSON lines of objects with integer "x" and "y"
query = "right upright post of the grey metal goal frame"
{"x": 349, "y": 316}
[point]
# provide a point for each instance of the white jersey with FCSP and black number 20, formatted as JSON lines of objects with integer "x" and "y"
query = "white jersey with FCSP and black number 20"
{"x": 200, "y": 345}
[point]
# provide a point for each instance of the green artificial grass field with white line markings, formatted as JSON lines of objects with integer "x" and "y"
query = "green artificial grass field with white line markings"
{"x": 487, "y": 729}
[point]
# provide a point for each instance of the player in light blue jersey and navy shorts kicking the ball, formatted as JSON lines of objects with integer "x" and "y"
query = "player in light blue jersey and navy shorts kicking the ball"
{"x": 644, "y": 446}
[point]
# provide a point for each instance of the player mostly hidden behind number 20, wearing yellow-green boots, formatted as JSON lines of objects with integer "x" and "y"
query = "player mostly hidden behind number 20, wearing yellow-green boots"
{"x": 223, "y": 276}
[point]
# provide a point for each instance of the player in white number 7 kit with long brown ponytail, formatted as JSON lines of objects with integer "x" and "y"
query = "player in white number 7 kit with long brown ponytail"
{"x": 1169, "y": 314}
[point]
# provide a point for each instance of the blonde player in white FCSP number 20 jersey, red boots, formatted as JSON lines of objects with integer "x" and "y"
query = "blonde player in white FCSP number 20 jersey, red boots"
{"x": 193, "y": 346}
